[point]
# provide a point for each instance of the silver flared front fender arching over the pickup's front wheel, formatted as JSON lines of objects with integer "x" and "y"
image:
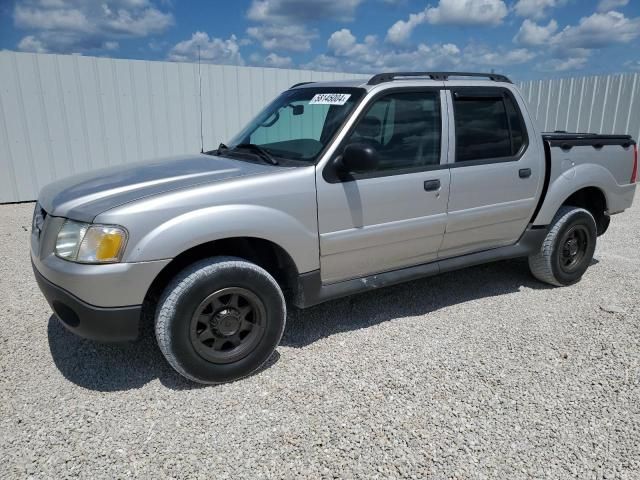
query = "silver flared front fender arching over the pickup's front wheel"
{"x": 197, "y": 227}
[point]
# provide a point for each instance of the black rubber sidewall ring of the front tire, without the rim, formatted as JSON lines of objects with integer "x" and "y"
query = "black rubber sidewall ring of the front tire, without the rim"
{"x": 227, "y": 274}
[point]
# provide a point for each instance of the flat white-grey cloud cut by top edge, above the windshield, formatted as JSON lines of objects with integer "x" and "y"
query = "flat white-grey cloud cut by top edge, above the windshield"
{"x": 289, "y": 11}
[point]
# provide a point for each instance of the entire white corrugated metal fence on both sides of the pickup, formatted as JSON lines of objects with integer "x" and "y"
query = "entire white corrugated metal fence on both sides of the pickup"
{"x": 62, "y": 114}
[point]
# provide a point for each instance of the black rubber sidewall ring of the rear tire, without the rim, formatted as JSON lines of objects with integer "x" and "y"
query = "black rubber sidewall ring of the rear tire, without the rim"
{"x": 576, "y": 217}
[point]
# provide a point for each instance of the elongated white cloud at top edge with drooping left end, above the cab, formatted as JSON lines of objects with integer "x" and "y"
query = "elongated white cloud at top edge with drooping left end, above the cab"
{"x": 453, "y": 12}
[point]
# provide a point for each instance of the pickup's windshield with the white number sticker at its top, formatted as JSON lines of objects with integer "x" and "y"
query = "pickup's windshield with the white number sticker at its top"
{"x": 299, "y": 123}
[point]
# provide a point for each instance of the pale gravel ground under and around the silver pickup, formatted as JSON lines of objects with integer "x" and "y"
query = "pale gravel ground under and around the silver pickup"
{"x": 474, "y": 374}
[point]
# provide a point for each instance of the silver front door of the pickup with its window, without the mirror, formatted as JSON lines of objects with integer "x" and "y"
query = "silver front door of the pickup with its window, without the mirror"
{"x": 395, "y": 216}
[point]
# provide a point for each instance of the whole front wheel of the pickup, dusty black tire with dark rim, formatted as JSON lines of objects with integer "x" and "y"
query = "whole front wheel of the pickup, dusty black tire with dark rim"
{"x": 220, "y": 319}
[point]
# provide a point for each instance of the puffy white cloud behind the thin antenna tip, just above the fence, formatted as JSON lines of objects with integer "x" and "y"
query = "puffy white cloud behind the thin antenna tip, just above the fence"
{"x": 212, "y": 50}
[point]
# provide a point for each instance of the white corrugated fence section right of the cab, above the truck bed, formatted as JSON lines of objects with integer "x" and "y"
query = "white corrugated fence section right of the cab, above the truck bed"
{"x": 603, "y": 104}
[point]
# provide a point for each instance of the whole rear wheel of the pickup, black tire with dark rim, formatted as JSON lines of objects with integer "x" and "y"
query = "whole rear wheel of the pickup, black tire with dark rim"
{"x": 568, "y": 248}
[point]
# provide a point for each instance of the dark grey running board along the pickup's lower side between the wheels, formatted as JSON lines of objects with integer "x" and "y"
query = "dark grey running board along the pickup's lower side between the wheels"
{"x": 311, "y": 291}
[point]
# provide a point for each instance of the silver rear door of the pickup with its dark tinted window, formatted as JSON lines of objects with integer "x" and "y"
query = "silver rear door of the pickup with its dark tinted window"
{"x": 496, "y": 171}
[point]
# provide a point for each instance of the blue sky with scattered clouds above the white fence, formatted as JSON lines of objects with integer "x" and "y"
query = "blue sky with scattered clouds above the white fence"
{"x": 523, "y": 38}
